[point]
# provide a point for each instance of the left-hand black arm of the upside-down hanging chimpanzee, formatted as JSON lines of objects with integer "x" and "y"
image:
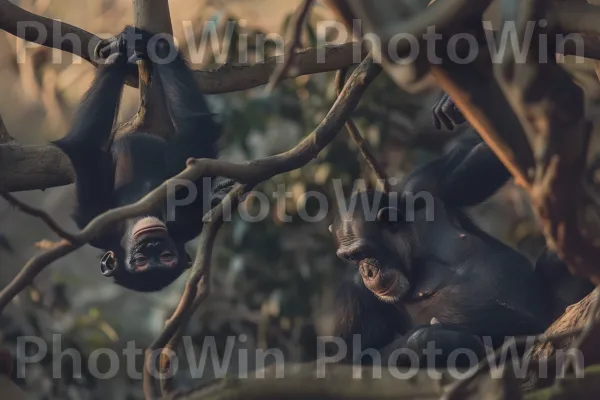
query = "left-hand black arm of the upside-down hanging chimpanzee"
{"x": 87, "y": 142}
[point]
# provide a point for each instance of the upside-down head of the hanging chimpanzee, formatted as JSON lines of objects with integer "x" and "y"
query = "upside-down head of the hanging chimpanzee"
{"x": 147, "y": 259}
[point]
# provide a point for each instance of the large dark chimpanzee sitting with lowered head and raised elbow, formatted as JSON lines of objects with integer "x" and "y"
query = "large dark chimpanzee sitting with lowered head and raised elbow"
{"x": 426, "y": 272}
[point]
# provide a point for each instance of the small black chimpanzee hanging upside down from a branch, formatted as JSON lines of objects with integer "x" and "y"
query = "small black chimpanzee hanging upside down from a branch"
{"x": 145, "y": 253}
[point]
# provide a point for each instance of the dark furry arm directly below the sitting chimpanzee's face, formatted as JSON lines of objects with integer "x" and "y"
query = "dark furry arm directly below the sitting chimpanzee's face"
{"x": 359, "y": 312}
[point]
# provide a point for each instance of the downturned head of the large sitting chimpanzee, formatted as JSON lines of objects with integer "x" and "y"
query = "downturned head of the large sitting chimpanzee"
{"x": 379, "y": 246}
